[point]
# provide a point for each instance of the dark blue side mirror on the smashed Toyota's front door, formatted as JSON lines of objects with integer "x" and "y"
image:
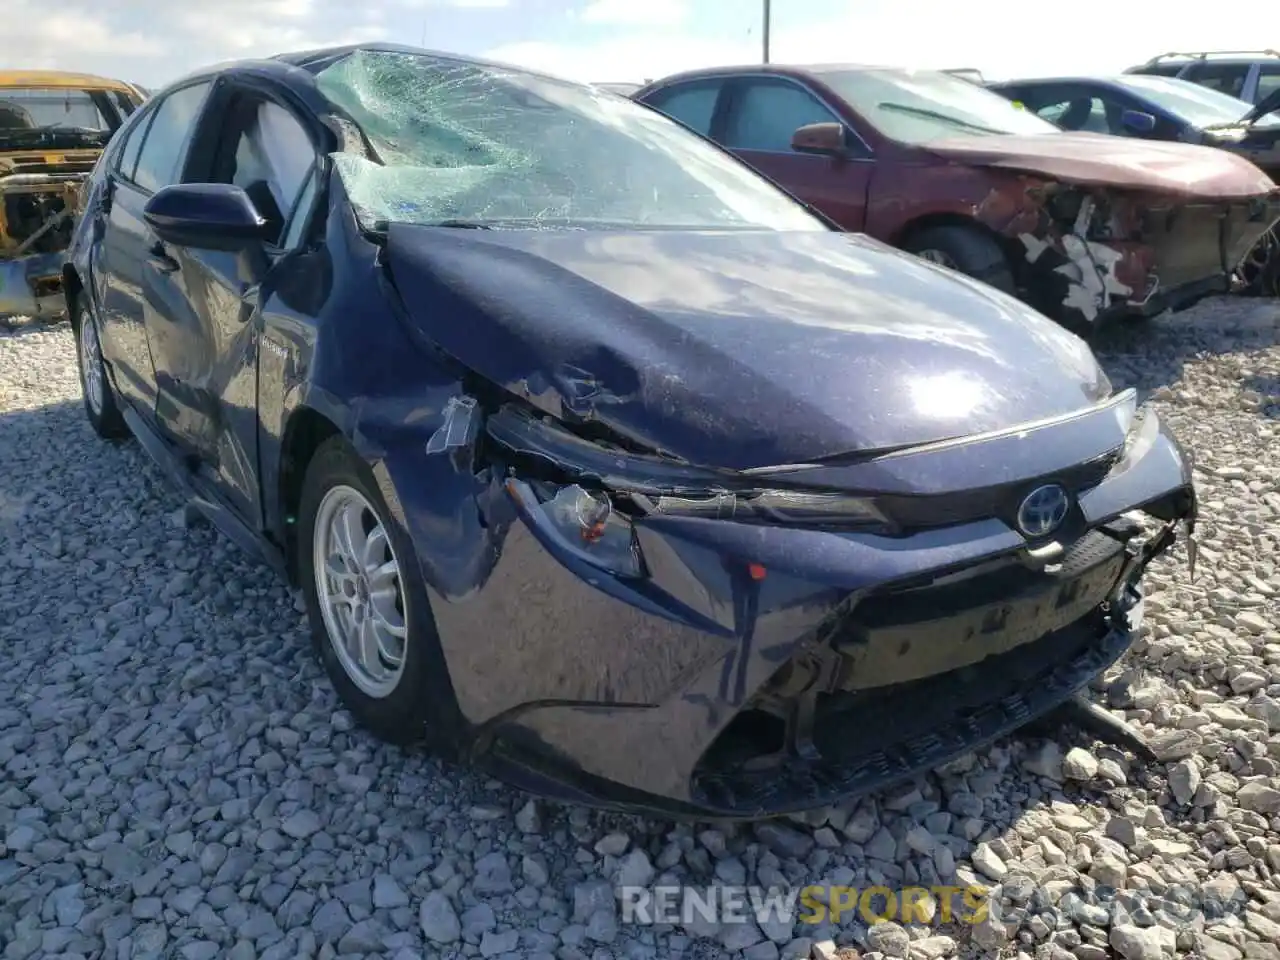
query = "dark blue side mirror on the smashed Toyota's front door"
{"x": 207, "y": 217}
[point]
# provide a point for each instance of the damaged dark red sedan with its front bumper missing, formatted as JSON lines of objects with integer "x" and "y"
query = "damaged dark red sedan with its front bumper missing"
{"x": 1082, "y": 228}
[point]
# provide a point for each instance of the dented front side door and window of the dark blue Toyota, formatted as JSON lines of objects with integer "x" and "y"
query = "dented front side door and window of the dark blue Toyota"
{"x": 260, "y": 145}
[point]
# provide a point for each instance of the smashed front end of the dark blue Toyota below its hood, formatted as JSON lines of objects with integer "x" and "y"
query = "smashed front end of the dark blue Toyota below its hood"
{"x": 705, "y": 660}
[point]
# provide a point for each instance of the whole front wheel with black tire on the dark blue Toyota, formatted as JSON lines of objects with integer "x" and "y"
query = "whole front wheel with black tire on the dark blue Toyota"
{"x": 372, "y": 621}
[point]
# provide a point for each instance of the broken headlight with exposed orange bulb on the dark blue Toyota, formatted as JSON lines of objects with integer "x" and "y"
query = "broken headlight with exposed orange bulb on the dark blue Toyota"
{"x": 584, "y": 524}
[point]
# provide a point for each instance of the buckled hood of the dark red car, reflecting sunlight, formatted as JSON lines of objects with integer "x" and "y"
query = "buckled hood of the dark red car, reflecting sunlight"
{"x": 1183, "y": 170}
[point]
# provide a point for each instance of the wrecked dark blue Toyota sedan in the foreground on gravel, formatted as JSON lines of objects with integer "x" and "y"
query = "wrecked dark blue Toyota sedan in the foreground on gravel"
{"x": 601, "y": 463}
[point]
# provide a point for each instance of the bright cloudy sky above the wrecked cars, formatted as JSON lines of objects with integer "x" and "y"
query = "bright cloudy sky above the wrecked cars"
{"x": 153, "y": 42}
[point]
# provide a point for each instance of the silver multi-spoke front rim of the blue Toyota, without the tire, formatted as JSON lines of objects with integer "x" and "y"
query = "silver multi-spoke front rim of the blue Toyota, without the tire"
{"x": 359, "y": 587}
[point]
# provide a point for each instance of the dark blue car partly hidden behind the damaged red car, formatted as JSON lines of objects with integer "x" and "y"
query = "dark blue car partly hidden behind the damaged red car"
{"x": 1163, "y": 108}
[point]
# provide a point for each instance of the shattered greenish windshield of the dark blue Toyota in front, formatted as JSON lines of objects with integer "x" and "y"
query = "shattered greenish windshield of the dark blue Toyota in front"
{"x": 472, "y": 145}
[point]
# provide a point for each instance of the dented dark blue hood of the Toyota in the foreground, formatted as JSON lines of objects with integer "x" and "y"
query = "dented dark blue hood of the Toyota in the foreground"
{"x": 739, "y": 350}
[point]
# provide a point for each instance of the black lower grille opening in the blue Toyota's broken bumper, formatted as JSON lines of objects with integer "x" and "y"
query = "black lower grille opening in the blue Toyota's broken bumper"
{"x": 922, "y": 673}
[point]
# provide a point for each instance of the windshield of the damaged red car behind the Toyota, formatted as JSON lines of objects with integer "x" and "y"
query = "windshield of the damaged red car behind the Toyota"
{"x": 917, "y": 107}
